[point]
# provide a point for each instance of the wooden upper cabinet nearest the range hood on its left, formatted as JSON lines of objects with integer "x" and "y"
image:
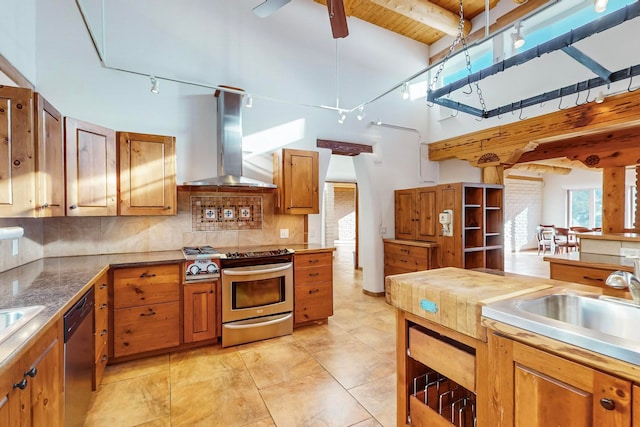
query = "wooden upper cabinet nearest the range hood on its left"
{"x": 147, "y": 174}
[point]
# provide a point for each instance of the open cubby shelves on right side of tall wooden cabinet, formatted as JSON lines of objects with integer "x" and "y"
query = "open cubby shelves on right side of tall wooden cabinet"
{"x": 483, "y": 234}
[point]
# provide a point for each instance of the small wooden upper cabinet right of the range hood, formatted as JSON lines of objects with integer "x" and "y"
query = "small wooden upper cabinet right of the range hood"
{"x": 295, "y": 173}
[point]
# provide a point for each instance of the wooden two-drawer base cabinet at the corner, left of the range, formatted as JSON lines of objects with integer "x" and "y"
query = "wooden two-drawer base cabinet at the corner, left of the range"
{"x": 146, "y": 309}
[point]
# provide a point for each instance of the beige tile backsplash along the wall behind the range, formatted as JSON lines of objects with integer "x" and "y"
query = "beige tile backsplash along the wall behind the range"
{"x": 69, "y": 236}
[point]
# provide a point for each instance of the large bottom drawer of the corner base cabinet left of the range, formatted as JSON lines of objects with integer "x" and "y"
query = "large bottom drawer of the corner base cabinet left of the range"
{"x": 140, "y": 329}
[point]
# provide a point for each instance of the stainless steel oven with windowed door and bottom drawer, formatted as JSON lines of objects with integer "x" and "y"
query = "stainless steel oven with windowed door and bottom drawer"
{"x": 257, "y": 295}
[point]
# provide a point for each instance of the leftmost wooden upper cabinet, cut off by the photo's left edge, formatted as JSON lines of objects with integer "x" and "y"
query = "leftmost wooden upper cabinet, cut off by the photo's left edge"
{"x": 17, "y": 153}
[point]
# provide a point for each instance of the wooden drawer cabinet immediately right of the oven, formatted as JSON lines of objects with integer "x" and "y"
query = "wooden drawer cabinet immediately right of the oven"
{"x": 313, "y": 286}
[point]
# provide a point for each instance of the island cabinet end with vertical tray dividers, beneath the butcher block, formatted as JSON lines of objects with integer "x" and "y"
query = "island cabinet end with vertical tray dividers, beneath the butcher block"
{"x": 438, "y": 379}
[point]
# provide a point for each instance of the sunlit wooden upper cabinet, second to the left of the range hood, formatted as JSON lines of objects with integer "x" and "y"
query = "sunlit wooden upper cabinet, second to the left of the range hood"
{"x": 91, "y": 169}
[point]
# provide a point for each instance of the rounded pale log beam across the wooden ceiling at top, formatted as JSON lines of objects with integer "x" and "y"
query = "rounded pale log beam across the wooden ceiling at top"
{"x": 427, "y": 13}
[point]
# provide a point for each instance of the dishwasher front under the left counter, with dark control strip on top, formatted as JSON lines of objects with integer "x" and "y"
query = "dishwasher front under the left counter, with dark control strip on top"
{"x": 78, "y": 359}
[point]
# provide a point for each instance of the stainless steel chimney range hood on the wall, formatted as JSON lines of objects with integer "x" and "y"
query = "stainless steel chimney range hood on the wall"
{"x": 230, "y": 145}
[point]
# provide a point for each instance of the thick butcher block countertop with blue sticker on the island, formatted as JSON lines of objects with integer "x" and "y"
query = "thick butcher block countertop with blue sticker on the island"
{"x": 453, "y": 297}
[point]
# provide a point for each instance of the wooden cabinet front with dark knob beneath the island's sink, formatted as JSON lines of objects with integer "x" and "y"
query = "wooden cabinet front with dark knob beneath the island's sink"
{"x": 534, "y": 388}
